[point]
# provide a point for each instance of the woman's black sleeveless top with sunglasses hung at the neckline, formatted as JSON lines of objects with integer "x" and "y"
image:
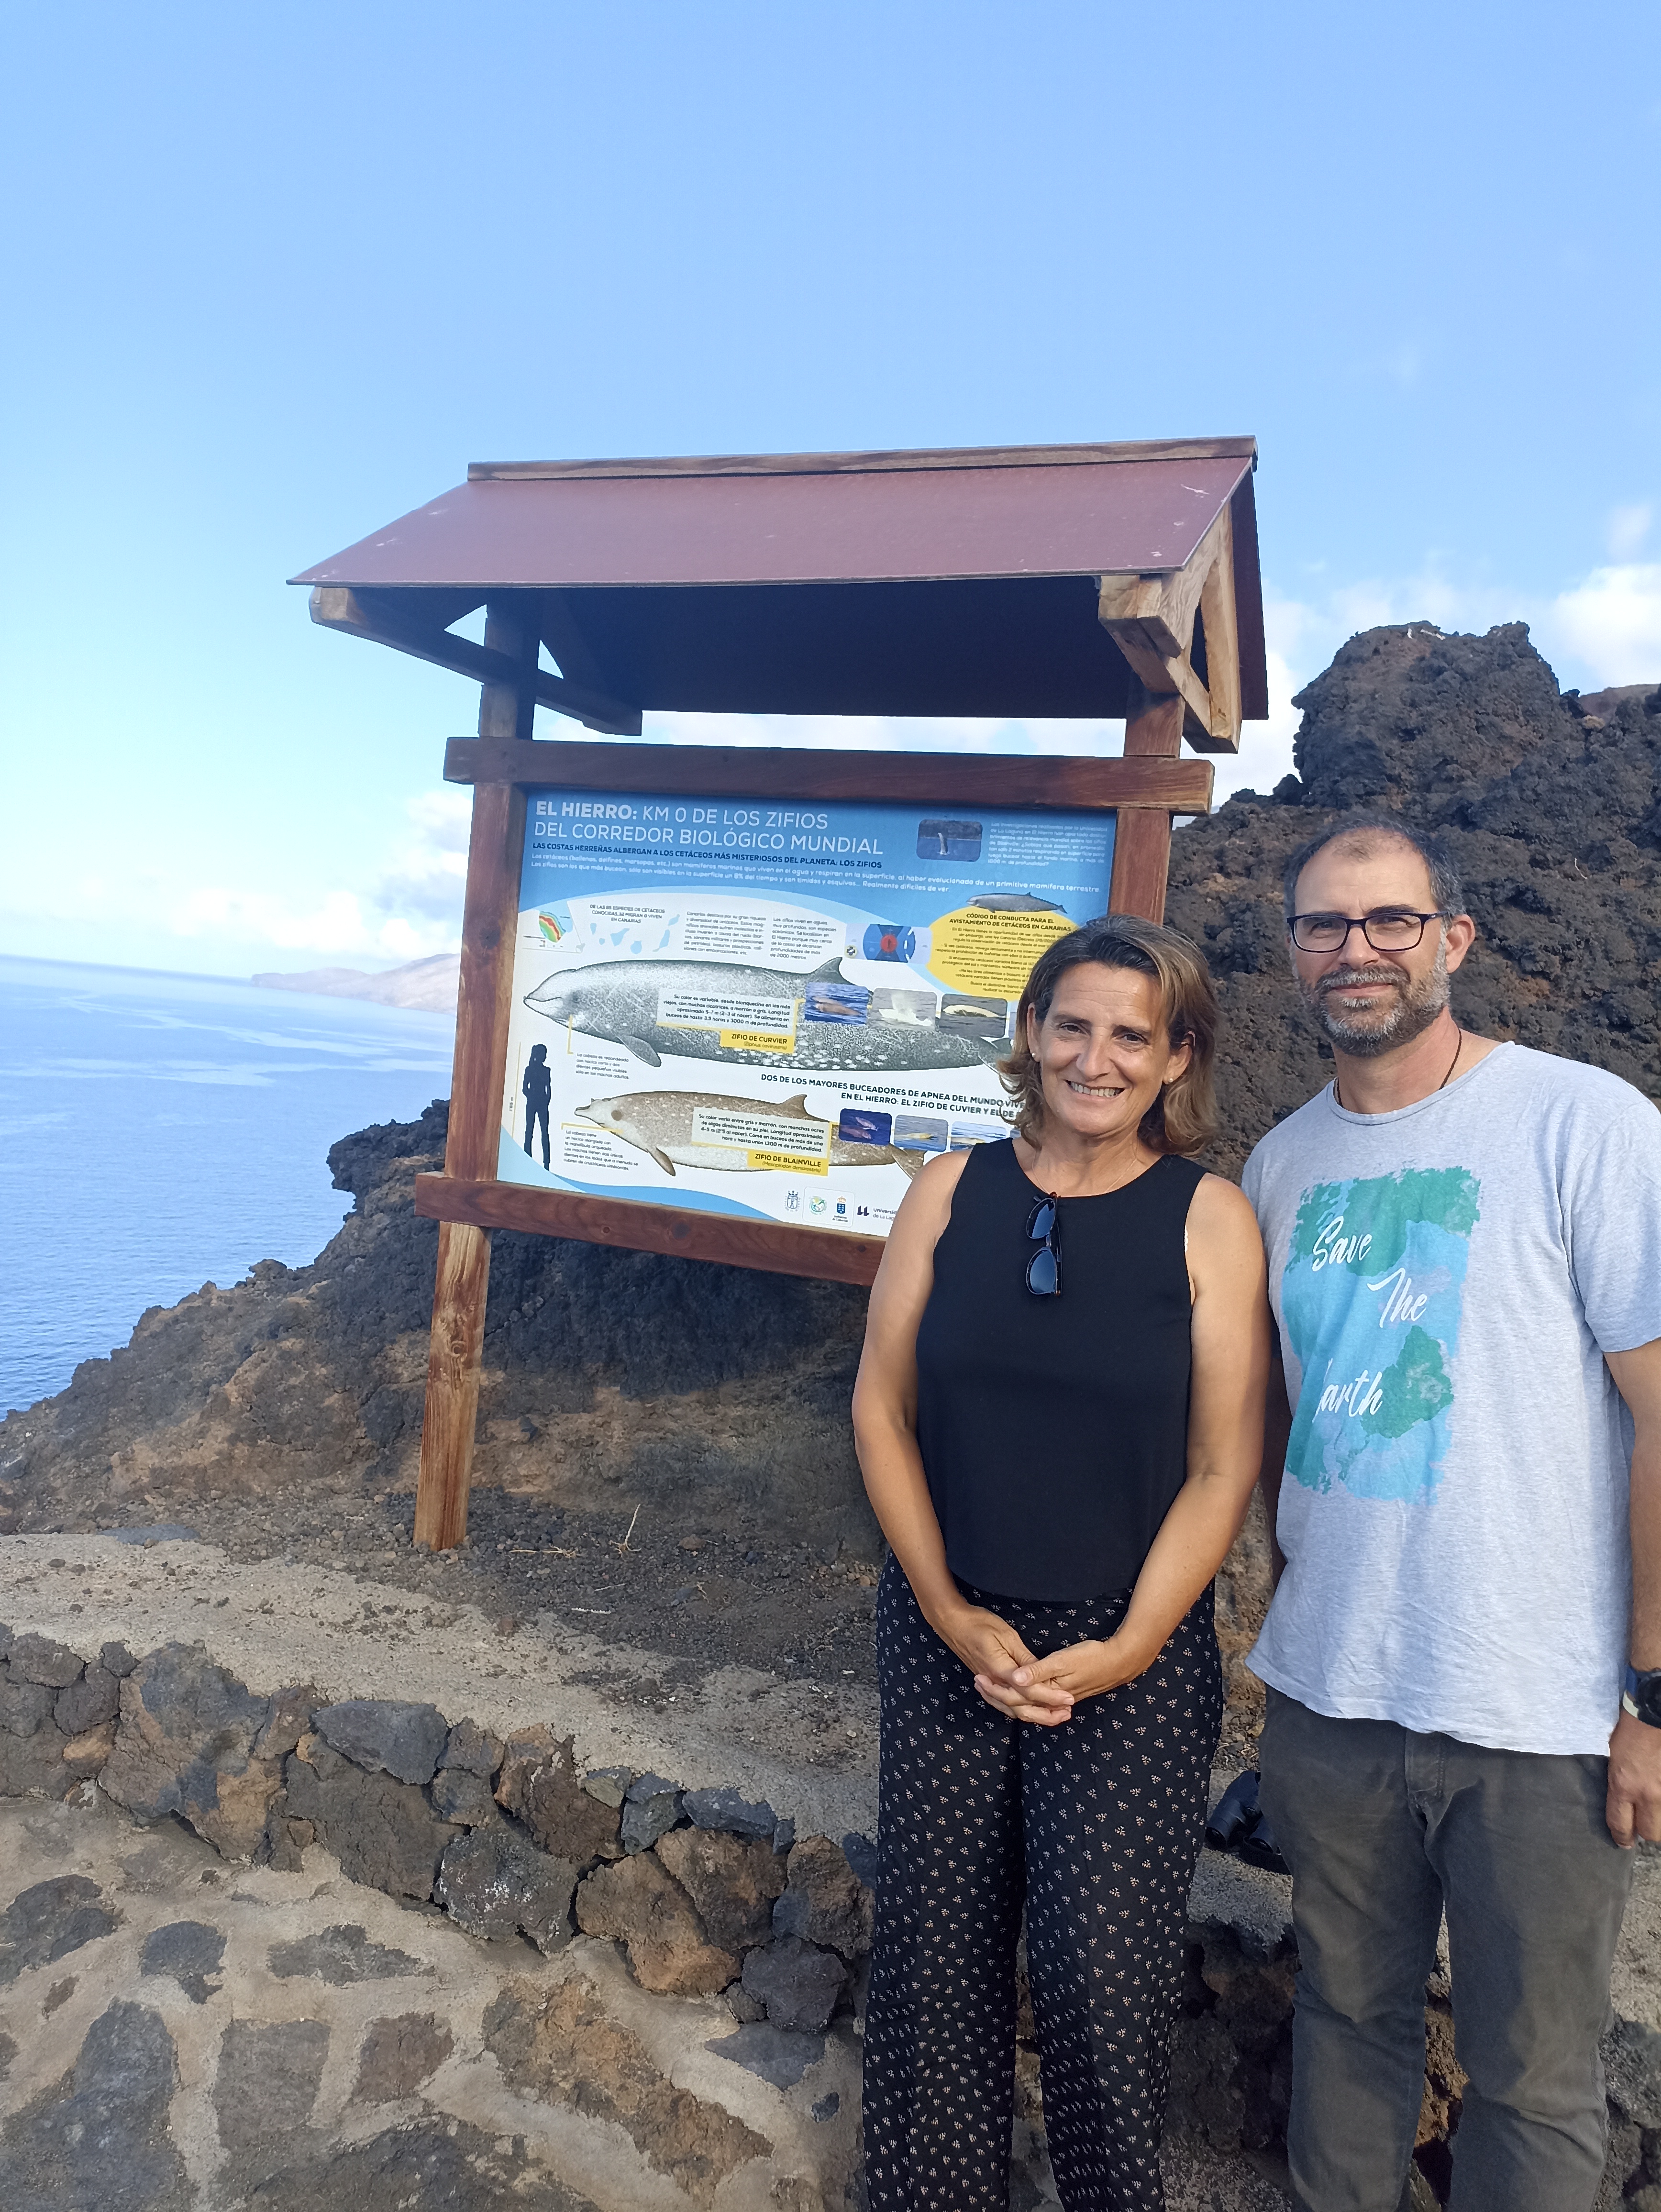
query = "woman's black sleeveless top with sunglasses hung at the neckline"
{"x": 1056, "y": 1430}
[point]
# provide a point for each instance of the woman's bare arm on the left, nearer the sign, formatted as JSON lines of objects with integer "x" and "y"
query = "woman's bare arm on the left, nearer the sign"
{"x": 886, "y": 1423}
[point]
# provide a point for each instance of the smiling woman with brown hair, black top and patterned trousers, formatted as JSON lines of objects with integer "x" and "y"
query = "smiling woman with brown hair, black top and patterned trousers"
{"x": 1061, "y": 1421}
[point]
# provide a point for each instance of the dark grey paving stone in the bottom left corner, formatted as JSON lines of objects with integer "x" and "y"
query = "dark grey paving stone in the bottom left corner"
{"x": 101, "y": 2136}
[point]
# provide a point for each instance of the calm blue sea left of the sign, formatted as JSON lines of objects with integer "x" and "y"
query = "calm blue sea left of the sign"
{"x": 167, "y": 1131}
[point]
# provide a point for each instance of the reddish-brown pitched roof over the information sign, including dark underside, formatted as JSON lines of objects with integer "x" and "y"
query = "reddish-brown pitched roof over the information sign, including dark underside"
{"x": 952, "y": 583}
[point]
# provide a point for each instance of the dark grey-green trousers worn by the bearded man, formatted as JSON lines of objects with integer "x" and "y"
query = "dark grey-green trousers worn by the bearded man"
{"x": 1383, "y": 1833}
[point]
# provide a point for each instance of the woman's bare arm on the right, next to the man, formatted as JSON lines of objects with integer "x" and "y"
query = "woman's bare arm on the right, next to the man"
{"x": 1231, "y": 1335}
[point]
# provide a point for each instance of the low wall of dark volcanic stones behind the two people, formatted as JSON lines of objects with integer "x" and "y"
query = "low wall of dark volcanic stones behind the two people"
{"x": 704, "y": 1895}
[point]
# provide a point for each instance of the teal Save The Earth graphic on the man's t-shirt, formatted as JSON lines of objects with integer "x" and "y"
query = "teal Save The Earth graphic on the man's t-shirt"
{"x": 1372, "y": 1297}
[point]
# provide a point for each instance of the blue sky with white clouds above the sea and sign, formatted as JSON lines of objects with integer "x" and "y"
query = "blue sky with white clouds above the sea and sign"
{"x": 278, "y": 275}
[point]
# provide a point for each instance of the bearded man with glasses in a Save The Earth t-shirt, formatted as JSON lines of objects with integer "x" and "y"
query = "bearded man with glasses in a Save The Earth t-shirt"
{"x": 1463, "y": 1656}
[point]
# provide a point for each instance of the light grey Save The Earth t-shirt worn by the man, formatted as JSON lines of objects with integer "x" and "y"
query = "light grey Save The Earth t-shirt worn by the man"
{"x": 1454, "y": 1512}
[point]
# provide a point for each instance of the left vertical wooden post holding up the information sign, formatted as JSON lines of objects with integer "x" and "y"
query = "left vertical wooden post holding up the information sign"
{"x": 490, "y": 915}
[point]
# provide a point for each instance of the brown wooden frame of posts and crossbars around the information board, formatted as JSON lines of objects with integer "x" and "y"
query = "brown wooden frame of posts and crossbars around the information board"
{"x": 1145, "y": 789}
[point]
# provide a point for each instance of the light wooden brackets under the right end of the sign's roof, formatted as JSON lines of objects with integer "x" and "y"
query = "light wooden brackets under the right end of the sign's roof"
{"x": 1151, "y": 620}
